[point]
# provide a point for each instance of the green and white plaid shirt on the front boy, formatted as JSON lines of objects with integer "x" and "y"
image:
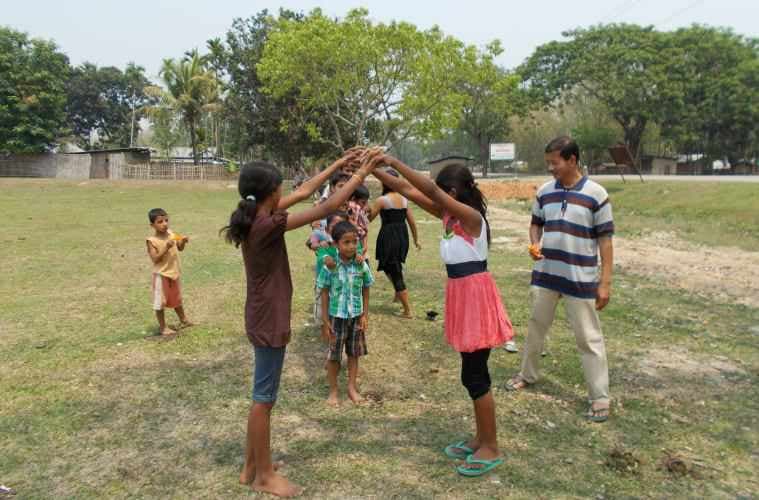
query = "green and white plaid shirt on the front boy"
{"x": 346, "y": 285}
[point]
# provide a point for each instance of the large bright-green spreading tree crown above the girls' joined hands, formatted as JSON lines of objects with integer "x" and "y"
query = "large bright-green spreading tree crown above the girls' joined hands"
{"x": 388, "y": 79}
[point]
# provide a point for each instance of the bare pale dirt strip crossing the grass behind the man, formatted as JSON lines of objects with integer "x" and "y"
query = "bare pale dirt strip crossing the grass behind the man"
{"x": 726, "y": 273}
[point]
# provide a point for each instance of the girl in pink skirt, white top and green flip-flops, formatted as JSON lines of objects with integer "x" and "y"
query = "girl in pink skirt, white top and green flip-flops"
{"x": 475, "y": 319}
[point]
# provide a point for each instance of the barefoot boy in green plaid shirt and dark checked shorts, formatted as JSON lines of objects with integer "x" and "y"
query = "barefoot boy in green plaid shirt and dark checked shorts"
{"x": 345, "y": 309}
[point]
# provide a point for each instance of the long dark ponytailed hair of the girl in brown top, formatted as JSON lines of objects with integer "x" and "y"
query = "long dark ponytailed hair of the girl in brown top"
{"x": 259, "y": 180}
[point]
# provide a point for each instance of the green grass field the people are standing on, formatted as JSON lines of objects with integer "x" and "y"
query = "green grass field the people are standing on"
{"x": 93, "y": 406}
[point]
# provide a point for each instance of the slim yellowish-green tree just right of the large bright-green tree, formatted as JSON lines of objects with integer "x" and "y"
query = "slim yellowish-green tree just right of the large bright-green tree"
{"x": 491, "y": 95}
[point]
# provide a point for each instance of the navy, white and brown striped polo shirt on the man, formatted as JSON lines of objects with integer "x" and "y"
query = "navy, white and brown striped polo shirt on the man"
{"x": 572, "y": 219}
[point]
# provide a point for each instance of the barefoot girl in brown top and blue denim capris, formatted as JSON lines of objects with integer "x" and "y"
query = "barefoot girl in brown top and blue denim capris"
{"x": 258, "y": 225}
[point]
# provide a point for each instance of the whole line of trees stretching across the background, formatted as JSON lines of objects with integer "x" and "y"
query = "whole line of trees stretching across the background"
{"x": 295, "y": 88}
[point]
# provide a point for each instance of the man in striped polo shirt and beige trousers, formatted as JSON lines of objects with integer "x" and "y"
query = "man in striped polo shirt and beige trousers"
{"x": 572, "y": 217}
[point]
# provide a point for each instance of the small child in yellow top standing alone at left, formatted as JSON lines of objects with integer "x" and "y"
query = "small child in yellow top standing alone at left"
{"x": 163, "y": 248}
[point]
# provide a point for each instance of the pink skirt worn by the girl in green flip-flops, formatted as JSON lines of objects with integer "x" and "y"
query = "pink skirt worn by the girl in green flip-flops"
{"x": 474, "y": 314}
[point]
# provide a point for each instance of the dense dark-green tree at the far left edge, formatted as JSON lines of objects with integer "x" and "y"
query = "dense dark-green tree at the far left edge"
{"x": 33, "y": 75}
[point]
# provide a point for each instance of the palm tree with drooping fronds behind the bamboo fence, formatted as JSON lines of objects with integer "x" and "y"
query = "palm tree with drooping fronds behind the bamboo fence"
{"x": 193, "y": 90}
